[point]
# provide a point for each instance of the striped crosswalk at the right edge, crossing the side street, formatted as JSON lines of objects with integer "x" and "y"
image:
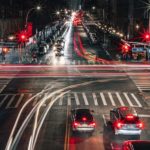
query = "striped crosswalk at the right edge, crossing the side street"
{"x": 142, "y": 83}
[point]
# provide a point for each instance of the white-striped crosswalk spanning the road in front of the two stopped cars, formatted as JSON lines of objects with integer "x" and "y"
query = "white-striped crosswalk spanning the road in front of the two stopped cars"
{"x": 97, "y": 98}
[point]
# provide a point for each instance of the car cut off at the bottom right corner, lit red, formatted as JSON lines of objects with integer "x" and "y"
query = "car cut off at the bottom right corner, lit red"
{"x": 136, "y": 145}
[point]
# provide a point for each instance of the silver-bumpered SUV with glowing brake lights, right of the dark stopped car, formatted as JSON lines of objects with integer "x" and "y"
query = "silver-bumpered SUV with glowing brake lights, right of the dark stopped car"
{"x": 125, "y": 121}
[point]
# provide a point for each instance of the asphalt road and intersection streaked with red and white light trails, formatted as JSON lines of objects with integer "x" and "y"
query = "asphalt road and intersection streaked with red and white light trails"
{"x": 95, "y": 86}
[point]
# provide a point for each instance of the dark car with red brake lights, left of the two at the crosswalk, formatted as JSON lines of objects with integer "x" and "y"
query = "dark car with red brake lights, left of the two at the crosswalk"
{"x": 82, "y": 120}
